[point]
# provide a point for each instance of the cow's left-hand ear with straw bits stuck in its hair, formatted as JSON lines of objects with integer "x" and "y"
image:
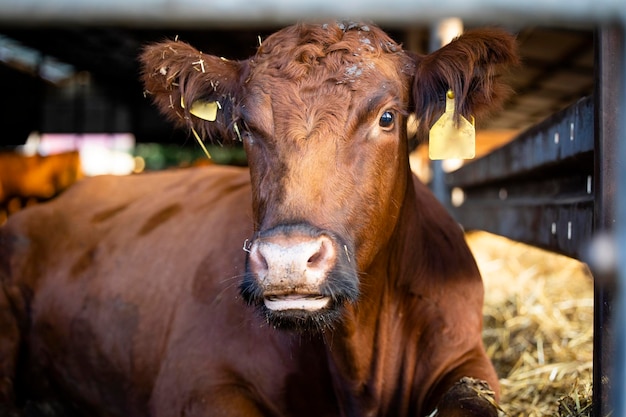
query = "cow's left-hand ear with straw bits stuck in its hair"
{"x": 193, "y": 89}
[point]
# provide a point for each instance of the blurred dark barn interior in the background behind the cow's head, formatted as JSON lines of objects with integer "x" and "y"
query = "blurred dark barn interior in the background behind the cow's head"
{"x": 73, "y": 86}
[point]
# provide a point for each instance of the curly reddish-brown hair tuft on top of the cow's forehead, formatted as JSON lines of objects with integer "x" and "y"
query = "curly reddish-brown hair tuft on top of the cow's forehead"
{"x": 296, "y": 51}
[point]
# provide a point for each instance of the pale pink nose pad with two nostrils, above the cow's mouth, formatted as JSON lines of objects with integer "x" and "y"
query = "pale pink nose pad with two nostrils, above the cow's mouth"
{"x": 292, "y": 263}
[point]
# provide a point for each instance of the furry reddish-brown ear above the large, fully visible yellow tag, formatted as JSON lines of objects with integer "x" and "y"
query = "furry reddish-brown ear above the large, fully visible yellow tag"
{"x": 470, "y": 66}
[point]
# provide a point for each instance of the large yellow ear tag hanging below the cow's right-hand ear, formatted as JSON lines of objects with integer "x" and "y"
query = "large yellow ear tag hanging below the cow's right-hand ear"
{"x": 447, "y": 140}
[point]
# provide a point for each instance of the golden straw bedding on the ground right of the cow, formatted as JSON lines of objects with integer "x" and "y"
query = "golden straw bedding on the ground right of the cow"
{"x": 538, "y": 327}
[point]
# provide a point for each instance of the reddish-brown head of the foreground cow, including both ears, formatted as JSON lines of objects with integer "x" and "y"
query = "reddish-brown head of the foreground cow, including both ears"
{"x": 322, "y": 111}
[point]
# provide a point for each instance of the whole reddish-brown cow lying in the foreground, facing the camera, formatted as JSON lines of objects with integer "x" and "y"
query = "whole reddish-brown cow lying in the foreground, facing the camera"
{"x": 354, "y": 292}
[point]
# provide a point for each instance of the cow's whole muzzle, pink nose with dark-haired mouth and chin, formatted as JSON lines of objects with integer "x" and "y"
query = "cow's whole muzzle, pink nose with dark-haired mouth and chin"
{"x": 299, "y": 275}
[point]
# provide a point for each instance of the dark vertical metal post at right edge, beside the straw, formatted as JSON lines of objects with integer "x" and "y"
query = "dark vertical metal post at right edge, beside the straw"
{"x": 607, "y": 96}
